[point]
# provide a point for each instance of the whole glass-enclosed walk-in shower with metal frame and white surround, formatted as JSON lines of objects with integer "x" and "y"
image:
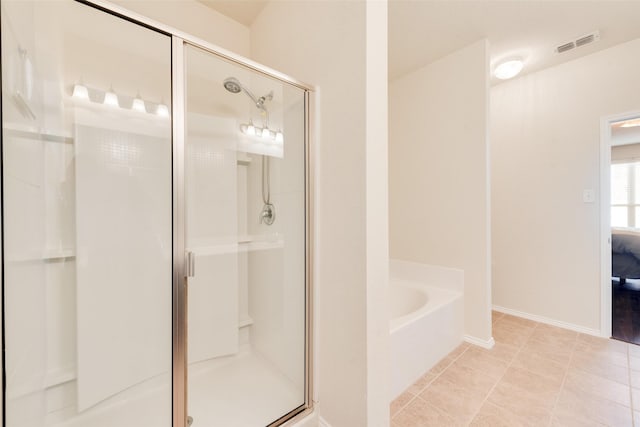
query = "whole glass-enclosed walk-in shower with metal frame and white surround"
{"x": 145, "y": 279}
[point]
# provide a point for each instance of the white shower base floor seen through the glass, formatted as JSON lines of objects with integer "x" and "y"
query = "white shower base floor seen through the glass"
{"x": 238, "y": 391}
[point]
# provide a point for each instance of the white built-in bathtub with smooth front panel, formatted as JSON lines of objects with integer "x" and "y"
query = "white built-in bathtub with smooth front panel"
{"x": 427, "y": 316}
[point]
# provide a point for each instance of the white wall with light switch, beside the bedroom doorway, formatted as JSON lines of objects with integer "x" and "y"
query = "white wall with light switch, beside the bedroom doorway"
{"x": 545, "y": 133}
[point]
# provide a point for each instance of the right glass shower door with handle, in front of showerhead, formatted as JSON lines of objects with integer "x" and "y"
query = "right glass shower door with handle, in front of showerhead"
{"x": 245, "y": 226}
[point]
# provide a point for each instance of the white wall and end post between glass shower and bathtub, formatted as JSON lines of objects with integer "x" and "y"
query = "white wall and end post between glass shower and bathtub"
{"x": 328, "y": 44}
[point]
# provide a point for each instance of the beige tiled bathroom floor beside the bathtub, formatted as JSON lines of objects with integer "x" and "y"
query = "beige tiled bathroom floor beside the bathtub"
{"x": 536, "y": 375}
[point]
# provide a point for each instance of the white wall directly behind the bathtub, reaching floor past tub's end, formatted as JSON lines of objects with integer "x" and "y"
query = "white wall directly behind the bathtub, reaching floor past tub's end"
{"x": 438, "y": 174}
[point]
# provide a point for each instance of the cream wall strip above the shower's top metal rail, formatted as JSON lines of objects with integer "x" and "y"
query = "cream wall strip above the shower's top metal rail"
{"x": 195, "y": 19}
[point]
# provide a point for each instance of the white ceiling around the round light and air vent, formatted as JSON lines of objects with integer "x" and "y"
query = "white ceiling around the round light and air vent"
{"x": 421, "y": 32}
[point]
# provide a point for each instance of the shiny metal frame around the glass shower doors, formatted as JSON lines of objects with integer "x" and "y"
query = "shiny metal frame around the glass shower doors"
{"x": 179, "y": 265}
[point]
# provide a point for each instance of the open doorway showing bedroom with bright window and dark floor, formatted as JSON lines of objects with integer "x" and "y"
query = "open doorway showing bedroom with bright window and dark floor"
{"x": 625, "y": 229}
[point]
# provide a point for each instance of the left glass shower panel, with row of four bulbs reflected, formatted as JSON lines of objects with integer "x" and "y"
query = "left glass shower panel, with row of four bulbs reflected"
{"x": 87, "y": 200}
